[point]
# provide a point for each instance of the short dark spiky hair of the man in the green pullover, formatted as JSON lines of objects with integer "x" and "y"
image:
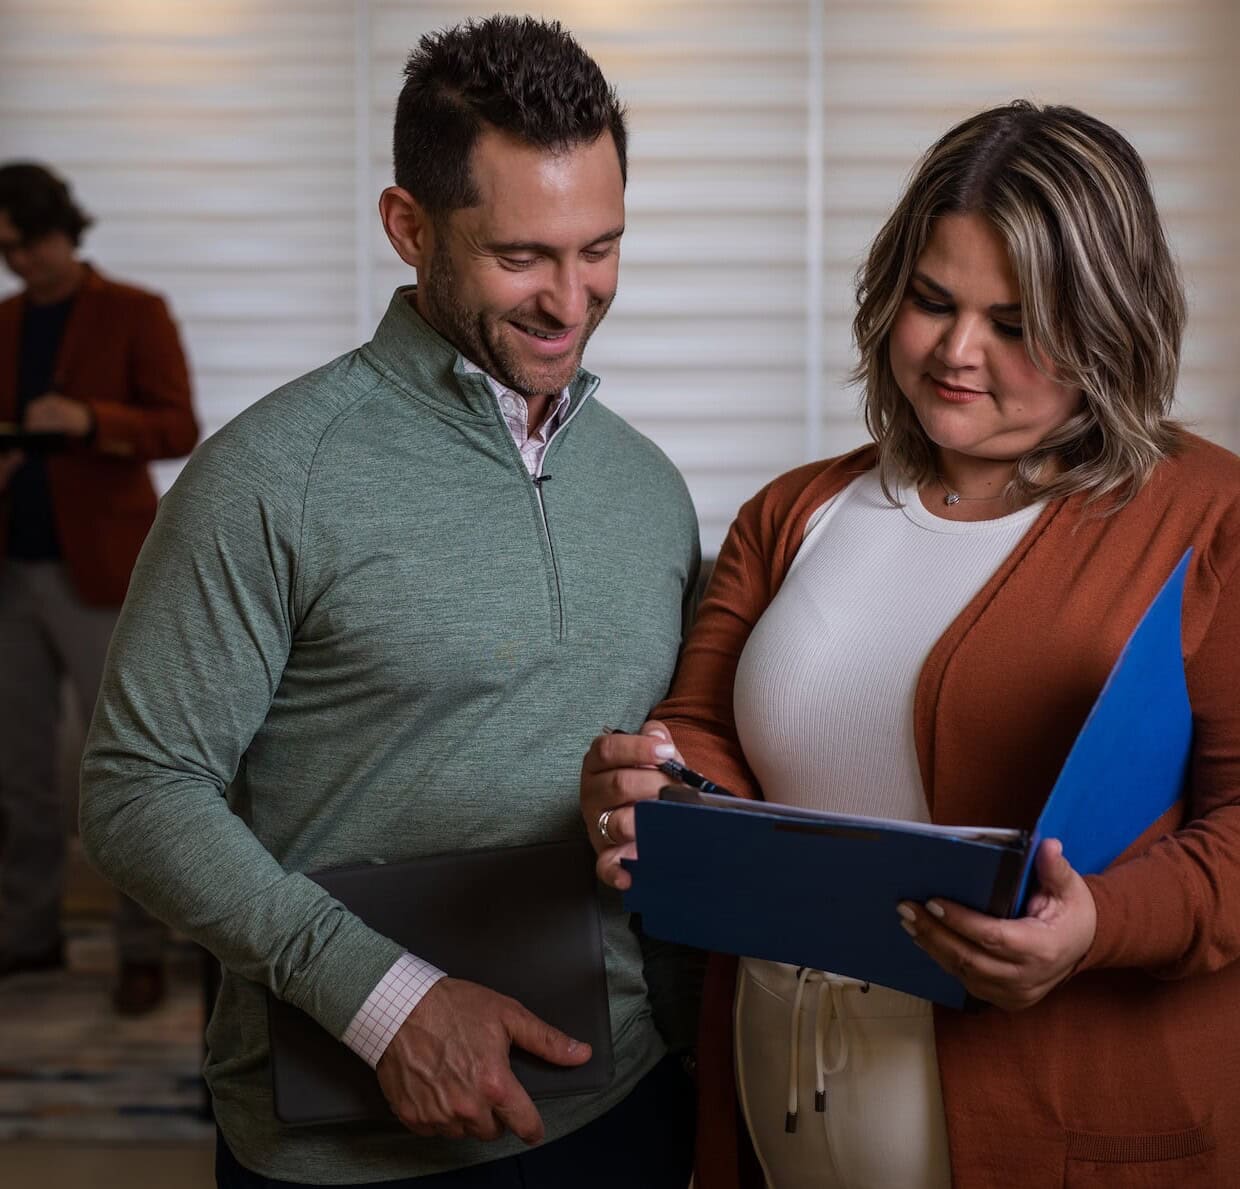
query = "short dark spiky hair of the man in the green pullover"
{"x": 523, "y": 76}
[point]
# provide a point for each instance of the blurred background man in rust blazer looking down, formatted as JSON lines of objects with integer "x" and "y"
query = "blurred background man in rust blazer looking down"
{"x": 96, "y": 370}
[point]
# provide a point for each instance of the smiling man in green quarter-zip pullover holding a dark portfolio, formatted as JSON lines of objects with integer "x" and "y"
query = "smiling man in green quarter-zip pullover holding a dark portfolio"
{"x": 381, "y": 616}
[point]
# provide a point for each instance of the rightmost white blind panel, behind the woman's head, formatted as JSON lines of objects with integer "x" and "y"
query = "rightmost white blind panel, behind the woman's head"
{"x": 900, "y": 73}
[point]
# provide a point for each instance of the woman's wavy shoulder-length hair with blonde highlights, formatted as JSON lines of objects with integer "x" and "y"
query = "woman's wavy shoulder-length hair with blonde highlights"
{"x": 1102, "y": 298}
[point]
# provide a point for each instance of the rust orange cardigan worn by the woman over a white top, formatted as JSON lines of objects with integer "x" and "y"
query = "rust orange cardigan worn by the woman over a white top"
{"x": 1128, "y": 1074}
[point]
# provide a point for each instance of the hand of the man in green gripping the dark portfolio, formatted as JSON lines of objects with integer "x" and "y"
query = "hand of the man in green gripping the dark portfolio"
{"x": 446, "y": 1072}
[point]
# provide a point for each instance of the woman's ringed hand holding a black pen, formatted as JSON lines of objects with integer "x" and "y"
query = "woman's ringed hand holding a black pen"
{"x": 618, "y": 772}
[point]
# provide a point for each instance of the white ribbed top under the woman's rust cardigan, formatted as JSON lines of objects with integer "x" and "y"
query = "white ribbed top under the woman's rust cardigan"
{"x": 825, "y": 686}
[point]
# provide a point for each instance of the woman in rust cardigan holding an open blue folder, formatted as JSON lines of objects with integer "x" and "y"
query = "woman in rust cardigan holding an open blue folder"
{"x": 918, "y": 630}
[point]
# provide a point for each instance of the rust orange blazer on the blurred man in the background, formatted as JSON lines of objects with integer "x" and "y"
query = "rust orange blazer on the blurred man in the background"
{"x": 122, "y": 356}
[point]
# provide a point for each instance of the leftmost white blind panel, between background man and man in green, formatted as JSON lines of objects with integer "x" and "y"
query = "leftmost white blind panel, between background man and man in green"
{"x": 214, "y": 143}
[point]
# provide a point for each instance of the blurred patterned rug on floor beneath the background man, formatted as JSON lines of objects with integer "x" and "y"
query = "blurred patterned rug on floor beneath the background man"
{"x": 74, "y": 1071}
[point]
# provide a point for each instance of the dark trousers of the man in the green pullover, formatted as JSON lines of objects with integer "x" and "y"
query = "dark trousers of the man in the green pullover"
{"x": 644, "y": 1143}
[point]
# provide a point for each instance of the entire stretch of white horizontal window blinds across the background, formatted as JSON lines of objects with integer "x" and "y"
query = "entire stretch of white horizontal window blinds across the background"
{"x": 232, "y": 153}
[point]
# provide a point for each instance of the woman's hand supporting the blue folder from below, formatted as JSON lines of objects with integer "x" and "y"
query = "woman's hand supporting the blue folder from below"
{"x": 1012, "y": 964}
